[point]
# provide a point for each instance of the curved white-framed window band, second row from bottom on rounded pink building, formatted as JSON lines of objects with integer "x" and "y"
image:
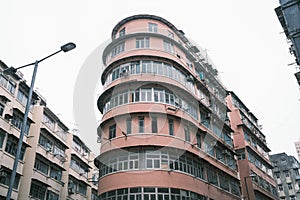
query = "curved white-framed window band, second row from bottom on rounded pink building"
{"x": 153, "y": 159}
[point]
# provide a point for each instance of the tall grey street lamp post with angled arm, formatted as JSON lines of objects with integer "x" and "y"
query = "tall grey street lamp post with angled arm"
{"x": 65, "y": 48}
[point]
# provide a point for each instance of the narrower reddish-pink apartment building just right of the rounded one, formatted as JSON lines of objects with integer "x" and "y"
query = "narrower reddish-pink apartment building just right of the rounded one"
{"x": 250, "y": 144}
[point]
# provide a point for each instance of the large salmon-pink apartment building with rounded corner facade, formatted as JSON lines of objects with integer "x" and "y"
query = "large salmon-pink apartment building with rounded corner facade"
{"x": 164, "y": 132}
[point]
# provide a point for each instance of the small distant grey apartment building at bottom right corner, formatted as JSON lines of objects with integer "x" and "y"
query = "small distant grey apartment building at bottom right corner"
{"x": 286, "y": 172}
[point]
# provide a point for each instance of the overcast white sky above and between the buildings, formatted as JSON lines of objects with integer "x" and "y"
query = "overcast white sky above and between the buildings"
{"x": 243, "y": 38}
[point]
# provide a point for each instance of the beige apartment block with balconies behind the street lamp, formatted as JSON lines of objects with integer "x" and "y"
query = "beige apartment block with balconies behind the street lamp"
{"x": 54, "y": 162}
